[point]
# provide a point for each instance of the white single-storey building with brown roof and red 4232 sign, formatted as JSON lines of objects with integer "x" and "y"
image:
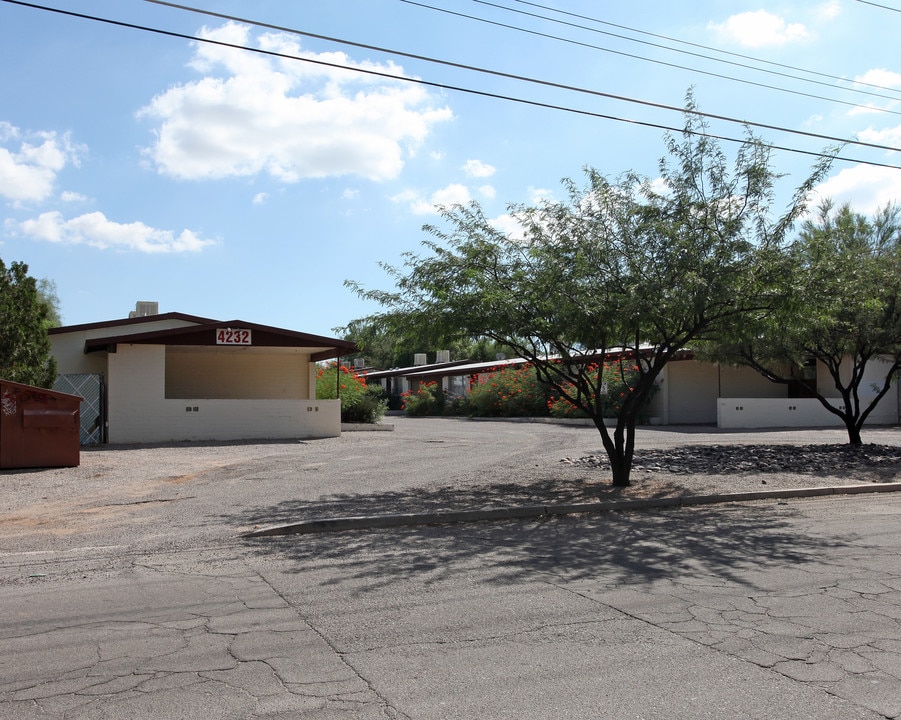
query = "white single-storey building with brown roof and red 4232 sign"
{"x": 170, "y": 377}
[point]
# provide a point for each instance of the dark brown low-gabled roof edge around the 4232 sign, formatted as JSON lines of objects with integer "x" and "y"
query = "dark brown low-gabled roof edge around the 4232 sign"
{"x": 205, "y": 332}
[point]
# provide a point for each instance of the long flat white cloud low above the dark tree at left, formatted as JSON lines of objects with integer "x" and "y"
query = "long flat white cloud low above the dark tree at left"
{"x": 95, "y": 230}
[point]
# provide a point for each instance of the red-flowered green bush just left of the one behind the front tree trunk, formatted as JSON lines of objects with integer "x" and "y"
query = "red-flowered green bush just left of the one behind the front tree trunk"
{"x": 509, "y": 392}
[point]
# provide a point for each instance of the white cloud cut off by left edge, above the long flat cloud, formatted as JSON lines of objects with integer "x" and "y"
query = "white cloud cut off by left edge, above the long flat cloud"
{"x": 28, "y": 169}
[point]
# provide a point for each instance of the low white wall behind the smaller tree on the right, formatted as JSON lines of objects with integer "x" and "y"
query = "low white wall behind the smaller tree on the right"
{"x": 788, "y": 412}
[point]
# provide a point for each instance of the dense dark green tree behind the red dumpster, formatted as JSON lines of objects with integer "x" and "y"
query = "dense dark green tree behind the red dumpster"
{"x": 25, "y": 350}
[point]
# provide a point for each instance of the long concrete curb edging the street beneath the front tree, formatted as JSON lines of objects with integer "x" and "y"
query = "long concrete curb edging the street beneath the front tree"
{"x": 322, "y": 525}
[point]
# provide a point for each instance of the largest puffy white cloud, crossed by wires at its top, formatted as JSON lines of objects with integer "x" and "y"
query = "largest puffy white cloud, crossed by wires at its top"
{"x": 291, "y": 119}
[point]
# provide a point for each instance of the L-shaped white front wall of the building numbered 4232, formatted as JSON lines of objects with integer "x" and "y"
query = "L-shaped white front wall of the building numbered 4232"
{"x": 139, "y": 412}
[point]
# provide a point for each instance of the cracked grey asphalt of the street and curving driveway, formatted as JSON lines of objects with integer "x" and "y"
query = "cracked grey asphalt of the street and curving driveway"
{"x": 133, "y": 595}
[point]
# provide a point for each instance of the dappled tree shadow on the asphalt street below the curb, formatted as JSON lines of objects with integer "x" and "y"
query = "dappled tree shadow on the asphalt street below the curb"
{"x": 616, "y": 548}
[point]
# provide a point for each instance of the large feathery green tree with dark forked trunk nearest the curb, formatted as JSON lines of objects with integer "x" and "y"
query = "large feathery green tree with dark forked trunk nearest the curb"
{"x": 628, "y": 271}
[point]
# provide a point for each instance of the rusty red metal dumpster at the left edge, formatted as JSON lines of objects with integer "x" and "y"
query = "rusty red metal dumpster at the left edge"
{"x": 38, "y": 427}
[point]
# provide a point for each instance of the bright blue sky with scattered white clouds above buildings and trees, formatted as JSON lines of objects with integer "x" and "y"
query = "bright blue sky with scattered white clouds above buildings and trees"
{"x": 238, "y": 160}
